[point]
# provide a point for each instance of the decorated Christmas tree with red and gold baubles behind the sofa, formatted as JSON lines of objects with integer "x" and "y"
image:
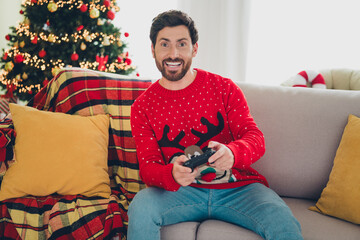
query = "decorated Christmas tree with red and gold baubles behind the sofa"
{"x": 61, "y": 33}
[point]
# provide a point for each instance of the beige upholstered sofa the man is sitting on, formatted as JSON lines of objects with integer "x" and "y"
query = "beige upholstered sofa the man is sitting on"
{"x": 302, "y": 128}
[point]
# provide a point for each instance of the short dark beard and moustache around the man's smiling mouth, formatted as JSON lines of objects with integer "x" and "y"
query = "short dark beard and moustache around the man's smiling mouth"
{"x": 173, "y": 75}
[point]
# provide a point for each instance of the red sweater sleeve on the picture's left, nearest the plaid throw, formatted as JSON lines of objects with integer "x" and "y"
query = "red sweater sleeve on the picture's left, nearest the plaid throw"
{"x": 152, "y": 168}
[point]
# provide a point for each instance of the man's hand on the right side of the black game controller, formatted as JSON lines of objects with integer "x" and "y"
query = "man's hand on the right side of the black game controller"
{"x": 223, "y": 159}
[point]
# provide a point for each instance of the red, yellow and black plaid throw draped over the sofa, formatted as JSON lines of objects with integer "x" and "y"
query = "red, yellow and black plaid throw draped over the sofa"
{"x": 82, "y": 92}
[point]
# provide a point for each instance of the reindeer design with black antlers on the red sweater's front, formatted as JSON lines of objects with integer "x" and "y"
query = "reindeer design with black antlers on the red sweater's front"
{"x": 206, "y": 173}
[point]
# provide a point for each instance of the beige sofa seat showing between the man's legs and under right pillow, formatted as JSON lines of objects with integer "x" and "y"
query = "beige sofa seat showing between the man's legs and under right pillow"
{"x": 314, "y": 226}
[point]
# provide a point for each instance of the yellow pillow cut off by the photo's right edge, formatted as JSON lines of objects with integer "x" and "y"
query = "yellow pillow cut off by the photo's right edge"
{"x": 341, "y": 196}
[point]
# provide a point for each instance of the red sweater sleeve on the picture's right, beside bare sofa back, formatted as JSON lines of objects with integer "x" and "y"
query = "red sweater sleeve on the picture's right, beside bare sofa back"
{"x": 249, "y": 144}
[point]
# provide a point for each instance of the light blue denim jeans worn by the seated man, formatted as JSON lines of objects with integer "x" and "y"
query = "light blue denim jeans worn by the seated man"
{"x": 254, "y": 207}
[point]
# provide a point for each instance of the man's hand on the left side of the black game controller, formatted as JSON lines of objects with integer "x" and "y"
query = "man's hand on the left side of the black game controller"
{"x": 181, "y": 174}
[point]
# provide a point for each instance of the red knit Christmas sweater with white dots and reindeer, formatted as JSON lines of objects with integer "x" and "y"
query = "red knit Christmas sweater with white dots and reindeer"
{"x": 166, "y": 124}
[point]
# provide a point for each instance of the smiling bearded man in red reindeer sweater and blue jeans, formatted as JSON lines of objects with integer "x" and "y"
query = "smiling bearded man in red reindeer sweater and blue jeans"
{"x": 183, "y": 114}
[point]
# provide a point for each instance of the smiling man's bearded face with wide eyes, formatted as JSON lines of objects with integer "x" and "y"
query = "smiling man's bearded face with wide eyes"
{"x": 173, "y": 52}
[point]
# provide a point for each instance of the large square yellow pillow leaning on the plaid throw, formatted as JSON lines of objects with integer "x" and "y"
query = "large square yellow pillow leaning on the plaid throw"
{"x": 57, "y": 153}
